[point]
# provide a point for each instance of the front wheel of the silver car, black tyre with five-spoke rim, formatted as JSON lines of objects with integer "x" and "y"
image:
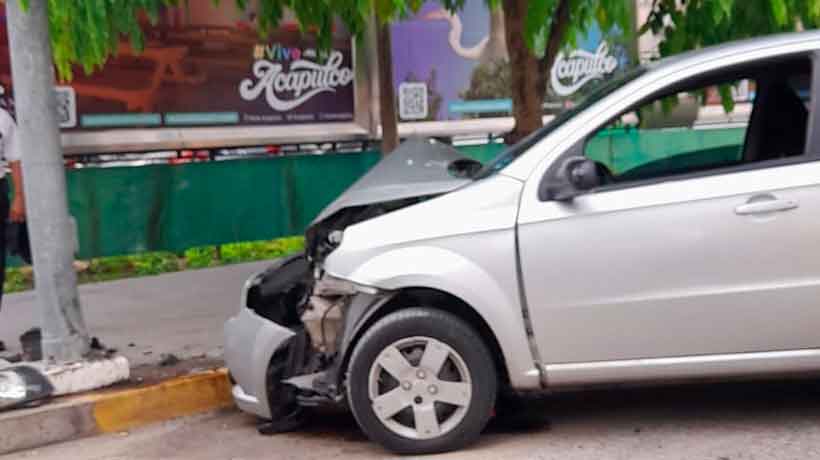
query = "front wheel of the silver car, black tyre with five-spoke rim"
{"x": 422, "y": 381}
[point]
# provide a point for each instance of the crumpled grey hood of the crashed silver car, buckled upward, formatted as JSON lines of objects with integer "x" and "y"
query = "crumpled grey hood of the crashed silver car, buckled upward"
{"x": 417, "y": 168}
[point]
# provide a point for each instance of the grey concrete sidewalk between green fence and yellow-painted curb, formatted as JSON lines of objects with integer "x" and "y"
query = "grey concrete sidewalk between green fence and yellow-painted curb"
{"x": 180, "y": 313}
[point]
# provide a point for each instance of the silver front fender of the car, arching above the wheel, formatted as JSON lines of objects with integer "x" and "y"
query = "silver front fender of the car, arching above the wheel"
{"x": 423, "y": 246}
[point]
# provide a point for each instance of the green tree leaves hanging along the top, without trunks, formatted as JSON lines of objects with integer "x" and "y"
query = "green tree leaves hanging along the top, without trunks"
{"x": 87, "y": 32}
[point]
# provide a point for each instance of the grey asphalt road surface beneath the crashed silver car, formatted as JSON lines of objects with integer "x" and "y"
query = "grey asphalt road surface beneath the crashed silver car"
{"x": 715, "y": 422}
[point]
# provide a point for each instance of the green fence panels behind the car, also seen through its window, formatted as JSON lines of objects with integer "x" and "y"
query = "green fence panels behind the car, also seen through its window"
{"x": 126, "y": 210}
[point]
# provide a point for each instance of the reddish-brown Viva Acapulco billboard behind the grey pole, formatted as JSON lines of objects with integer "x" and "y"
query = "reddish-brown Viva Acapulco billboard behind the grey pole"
{"x": 205, "y": 65}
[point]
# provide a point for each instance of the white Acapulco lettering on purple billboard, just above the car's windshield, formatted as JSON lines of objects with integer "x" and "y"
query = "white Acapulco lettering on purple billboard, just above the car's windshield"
{"x": 570, "y": 73}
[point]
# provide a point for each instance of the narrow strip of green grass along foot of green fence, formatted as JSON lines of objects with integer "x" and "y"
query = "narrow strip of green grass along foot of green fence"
{"x": 154, "y": 263}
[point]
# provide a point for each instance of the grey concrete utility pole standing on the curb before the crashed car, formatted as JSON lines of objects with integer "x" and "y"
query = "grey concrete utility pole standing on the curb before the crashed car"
{"x": 65, "y": 337}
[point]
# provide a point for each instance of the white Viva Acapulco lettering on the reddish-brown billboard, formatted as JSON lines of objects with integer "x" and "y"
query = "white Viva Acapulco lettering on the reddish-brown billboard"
{"x": 288, "y": 88}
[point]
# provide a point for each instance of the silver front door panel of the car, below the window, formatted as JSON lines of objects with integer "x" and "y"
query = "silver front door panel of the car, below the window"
{"x": 670, "y": 269}
